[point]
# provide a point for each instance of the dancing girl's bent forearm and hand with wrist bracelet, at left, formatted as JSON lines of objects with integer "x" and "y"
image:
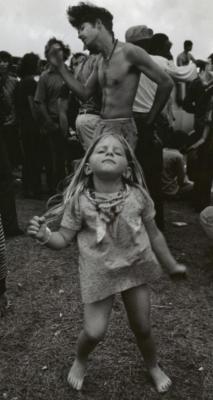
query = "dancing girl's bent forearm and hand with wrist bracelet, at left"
{"x": 57, "y": 240}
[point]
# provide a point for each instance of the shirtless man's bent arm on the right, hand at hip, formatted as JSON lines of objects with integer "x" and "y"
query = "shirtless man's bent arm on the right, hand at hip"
{"x": 141, "y": 60}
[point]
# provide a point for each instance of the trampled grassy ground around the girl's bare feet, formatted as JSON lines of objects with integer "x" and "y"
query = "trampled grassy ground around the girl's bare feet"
{"x": 38, "y": 334}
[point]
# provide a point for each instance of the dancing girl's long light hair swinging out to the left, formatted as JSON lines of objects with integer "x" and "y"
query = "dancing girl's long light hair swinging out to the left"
{"x": 79, "y": 181}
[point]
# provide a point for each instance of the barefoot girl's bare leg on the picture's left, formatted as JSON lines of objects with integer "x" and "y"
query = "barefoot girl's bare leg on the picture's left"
{"x": 96, "y": 317}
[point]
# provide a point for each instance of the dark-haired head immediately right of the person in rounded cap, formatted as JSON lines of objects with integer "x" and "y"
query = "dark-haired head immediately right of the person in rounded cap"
{"x": 160, "y": 45}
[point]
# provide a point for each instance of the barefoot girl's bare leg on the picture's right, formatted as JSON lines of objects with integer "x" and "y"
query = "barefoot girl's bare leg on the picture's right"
{"x": 137, "y": 304}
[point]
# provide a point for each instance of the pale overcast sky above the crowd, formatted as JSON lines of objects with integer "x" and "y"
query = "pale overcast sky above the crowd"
{"x": 26, "y": 25}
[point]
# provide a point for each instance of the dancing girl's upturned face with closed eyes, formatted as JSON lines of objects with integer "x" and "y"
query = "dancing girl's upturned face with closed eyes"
{"x": 108, "y": 158}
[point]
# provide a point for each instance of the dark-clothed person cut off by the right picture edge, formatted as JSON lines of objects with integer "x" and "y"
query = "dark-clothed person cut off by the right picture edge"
{"x": 199, "y": 100}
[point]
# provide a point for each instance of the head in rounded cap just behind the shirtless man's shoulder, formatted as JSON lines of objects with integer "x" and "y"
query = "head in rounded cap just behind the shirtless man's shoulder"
{"x": 139, "y": 35}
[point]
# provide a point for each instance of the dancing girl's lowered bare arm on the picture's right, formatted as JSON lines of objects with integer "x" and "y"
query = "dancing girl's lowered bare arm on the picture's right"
{"x": 162, "y": 251}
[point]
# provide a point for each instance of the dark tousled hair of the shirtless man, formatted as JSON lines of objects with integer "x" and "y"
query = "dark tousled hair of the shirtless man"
{"x": 87, "y": 12}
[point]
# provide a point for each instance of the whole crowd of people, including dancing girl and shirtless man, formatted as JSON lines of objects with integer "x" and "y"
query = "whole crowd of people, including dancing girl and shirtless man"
{"x": 104, "y": 123}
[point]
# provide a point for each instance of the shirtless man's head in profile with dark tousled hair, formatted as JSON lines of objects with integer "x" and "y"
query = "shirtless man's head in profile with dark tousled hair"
{"x": 89, "y": 20}
